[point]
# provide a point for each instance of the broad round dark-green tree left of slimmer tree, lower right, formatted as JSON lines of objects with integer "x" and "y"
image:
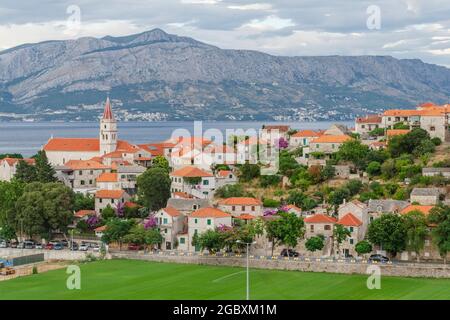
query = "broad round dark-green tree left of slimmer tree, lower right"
{"x": 389, "y": 232}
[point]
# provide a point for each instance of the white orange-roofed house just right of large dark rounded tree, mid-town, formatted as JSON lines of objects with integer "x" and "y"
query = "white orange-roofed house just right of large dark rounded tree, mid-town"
{"x": 193, "y": 181}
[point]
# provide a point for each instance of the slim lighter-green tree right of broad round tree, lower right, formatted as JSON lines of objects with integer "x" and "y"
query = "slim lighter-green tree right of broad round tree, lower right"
{"x": 416, "y": 231}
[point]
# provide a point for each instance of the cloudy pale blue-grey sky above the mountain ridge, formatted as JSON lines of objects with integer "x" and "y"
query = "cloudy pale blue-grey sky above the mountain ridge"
{"x": 400, "y": 28}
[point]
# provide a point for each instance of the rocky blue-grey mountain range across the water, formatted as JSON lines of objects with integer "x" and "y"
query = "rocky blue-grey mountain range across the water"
{"x": 158, "y": 76}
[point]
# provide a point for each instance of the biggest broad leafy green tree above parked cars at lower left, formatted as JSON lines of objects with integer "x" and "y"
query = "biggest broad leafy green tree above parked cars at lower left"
{"x": 44, "y": 207}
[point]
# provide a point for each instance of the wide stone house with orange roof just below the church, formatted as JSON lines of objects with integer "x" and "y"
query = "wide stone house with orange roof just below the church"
{"x": 81, "y": 175}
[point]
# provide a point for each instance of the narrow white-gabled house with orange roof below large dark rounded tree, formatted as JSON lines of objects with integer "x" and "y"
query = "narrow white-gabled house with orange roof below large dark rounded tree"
{"x": 170, "y": 222}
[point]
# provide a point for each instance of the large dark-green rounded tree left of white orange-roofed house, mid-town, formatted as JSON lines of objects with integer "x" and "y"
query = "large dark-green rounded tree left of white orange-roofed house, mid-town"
{"x": 154, "y": 188}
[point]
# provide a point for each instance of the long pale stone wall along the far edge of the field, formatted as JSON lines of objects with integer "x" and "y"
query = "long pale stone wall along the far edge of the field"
{"x": 402, "y": 269}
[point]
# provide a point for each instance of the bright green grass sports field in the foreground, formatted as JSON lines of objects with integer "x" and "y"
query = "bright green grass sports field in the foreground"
{"x": 129, "y": 279}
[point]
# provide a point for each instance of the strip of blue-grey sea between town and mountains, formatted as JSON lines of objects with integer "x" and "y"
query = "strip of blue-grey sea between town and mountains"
{"x": 27, "y": 138}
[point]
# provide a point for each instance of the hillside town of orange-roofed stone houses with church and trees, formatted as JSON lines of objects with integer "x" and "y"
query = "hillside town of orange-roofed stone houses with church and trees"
{"x": 378, "y": 191}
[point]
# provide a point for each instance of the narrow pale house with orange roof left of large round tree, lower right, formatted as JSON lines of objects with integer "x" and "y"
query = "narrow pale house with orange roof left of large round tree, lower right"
{"x": 357, "y": 231}
